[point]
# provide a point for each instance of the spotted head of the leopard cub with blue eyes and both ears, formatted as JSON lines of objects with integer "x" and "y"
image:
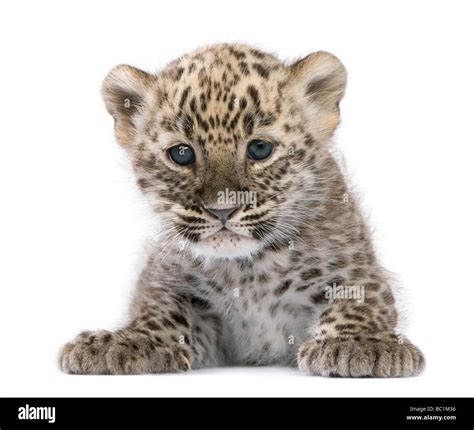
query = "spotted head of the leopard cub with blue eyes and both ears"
{"x": 230, "y": 144}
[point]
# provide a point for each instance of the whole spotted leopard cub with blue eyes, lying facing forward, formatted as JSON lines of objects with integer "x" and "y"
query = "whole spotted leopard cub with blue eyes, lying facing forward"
{"x": 265, "y": 258}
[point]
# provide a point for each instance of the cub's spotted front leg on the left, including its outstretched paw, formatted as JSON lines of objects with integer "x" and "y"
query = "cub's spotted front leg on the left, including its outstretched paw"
{"x": 168, "y": 333}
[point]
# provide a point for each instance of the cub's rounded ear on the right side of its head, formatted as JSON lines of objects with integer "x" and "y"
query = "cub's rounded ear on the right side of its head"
{"x": 320, "y": 80}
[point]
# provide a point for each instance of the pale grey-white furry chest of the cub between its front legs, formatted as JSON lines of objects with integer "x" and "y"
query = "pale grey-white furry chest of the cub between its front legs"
{"x": 264, "y": 315}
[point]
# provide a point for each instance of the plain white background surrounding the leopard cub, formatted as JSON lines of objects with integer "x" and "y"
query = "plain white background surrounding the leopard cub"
{"x": 73, "y": 223}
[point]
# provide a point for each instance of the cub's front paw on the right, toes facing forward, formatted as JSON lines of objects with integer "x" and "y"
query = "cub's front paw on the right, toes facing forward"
{"x": 379, "y": 356}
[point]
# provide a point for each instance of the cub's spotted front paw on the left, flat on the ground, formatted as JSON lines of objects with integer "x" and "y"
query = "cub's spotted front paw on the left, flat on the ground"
{"x": 104, "y": 352}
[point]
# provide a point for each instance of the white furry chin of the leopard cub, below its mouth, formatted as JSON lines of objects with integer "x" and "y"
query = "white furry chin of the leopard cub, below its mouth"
{"x": 226, "y": 245}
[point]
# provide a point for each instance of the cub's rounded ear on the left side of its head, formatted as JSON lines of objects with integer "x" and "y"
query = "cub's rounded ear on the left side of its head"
{"x": 124, "y": 90}
